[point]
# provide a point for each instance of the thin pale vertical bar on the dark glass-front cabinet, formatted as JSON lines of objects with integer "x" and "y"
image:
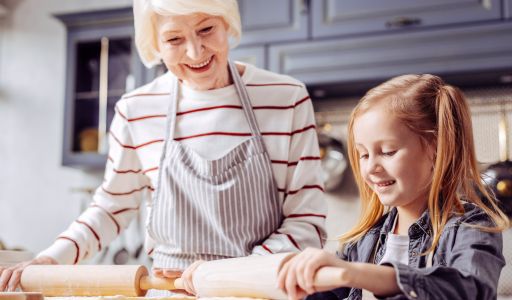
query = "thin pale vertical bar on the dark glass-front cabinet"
{"x": 103, "y": 96}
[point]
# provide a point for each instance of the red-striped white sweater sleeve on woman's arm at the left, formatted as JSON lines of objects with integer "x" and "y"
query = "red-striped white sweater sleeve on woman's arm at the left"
{"x": 115, "y": 202}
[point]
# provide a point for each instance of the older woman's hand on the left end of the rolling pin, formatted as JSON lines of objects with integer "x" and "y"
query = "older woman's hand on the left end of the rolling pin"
{"x": 10, "y": 276}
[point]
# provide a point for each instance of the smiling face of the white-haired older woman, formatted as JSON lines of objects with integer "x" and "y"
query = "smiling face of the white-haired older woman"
{"x": 195, "y": 48}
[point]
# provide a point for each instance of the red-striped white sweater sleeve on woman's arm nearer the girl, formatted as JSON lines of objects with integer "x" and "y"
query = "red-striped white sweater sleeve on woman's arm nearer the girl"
{"x": 304, "y": 206}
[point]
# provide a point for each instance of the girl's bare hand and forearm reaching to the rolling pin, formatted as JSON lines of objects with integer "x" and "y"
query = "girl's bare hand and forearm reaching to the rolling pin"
{"x": 296, "y": 277}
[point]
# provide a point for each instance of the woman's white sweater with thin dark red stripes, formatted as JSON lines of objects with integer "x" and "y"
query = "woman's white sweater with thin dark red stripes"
{"x": 211, "y": 123}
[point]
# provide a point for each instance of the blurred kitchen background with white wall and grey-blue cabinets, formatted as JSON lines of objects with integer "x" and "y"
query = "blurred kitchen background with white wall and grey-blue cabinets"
{"x": 64, "y": 64}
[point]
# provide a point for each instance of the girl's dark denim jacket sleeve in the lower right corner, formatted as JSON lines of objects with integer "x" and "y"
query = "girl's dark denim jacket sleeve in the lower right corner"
{"x": 467, "y": 265}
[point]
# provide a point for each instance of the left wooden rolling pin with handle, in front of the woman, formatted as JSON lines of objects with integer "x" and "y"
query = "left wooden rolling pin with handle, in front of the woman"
{"x": 91, "y": 280}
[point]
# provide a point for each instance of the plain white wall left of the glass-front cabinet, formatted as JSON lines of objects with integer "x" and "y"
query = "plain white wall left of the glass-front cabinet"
{"x": 36, "y": 198}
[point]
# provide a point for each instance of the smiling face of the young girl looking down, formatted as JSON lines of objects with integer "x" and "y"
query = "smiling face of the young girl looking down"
{"x": 393, "y": 161}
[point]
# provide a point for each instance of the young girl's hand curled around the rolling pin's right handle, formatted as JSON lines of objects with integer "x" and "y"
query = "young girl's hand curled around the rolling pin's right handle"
{"x": 296, "y": 277}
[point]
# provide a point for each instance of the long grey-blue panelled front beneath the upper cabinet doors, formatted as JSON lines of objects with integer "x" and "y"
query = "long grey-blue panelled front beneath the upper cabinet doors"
{"x": 472, "y": 49}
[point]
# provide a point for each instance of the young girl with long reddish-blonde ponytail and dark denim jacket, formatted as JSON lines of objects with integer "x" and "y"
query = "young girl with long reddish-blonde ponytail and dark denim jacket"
{"x": 424, "y": 232}
